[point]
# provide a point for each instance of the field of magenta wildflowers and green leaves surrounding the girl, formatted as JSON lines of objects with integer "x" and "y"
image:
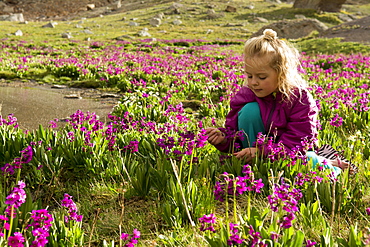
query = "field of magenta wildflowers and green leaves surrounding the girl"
{"x": 148, "y": 177}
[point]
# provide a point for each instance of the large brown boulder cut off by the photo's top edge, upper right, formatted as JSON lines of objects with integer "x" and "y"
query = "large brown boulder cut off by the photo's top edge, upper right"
{"x": 324, "y": 5}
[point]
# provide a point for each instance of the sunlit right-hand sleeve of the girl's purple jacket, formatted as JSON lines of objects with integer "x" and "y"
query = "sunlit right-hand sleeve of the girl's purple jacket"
{"x": 301, "y": 123}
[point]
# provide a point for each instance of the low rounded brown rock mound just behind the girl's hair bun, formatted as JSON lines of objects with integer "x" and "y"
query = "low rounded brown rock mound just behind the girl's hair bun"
{"x": 294, "y": 29}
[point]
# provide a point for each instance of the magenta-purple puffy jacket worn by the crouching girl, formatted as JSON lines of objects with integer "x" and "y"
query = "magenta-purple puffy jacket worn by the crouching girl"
{"x": 290, "y": 122}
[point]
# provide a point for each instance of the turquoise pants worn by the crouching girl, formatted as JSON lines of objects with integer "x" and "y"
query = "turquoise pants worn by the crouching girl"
{"x": 250, "y": 123}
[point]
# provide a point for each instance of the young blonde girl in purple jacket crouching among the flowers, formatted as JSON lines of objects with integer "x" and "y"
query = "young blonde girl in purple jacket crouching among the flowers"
{"x": 275, "y": 101}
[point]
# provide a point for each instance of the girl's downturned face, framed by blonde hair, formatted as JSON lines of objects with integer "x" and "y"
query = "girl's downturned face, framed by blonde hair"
{"x": 262, "y": 79}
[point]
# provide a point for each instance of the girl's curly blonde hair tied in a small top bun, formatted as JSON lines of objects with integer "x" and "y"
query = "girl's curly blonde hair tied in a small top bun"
{"x": 281, "y": 56}
